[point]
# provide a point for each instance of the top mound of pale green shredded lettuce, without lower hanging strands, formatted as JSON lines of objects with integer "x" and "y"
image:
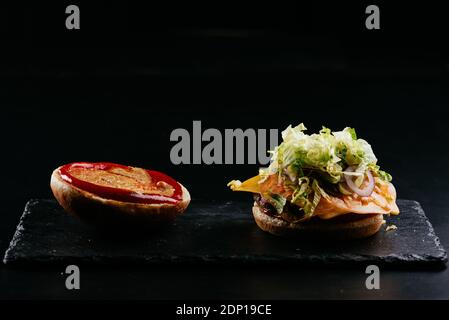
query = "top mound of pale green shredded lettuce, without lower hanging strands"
{"x": 327, "y": 154}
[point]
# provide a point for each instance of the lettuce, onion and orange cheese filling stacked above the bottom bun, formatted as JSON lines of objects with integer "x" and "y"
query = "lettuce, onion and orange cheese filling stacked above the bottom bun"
{"x": 322, "y": 175}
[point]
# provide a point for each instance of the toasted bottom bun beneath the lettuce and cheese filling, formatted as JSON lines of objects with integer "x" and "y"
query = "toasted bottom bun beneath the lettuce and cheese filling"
{"x": 351, "y": 226}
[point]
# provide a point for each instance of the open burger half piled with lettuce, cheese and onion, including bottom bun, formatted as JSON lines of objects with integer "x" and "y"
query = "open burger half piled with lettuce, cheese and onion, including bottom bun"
{"x": 322, "y": 185}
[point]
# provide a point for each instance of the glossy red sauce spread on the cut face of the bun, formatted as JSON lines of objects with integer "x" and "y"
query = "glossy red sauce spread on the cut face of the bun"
{"x": 172, "y": 193}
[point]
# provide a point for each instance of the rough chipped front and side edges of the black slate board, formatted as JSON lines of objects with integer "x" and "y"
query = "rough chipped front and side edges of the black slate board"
{"x": 439, "y": 260}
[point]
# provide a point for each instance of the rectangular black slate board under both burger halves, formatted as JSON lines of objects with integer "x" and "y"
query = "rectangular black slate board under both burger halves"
{"x": 216, "y": 232}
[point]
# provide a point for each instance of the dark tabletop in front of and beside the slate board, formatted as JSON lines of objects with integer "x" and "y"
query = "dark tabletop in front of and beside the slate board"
{"x": 227, "y": 282}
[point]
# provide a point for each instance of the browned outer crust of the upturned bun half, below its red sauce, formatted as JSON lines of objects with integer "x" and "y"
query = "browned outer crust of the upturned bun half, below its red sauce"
{"x": 105, "y": 212}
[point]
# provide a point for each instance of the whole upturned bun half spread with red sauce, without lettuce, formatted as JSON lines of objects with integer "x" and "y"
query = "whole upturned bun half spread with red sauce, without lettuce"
{"x": 107, "y": 194}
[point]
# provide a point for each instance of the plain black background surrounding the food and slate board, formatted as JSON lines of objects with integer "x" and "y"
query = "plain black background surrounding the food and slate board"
{"x": 114, "y": 90}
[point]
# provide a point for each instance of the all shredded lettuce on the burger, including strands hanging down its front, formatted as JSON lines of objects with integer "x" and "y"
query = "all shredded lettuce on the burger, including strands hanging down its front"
{"x": 306, "y": 163}
